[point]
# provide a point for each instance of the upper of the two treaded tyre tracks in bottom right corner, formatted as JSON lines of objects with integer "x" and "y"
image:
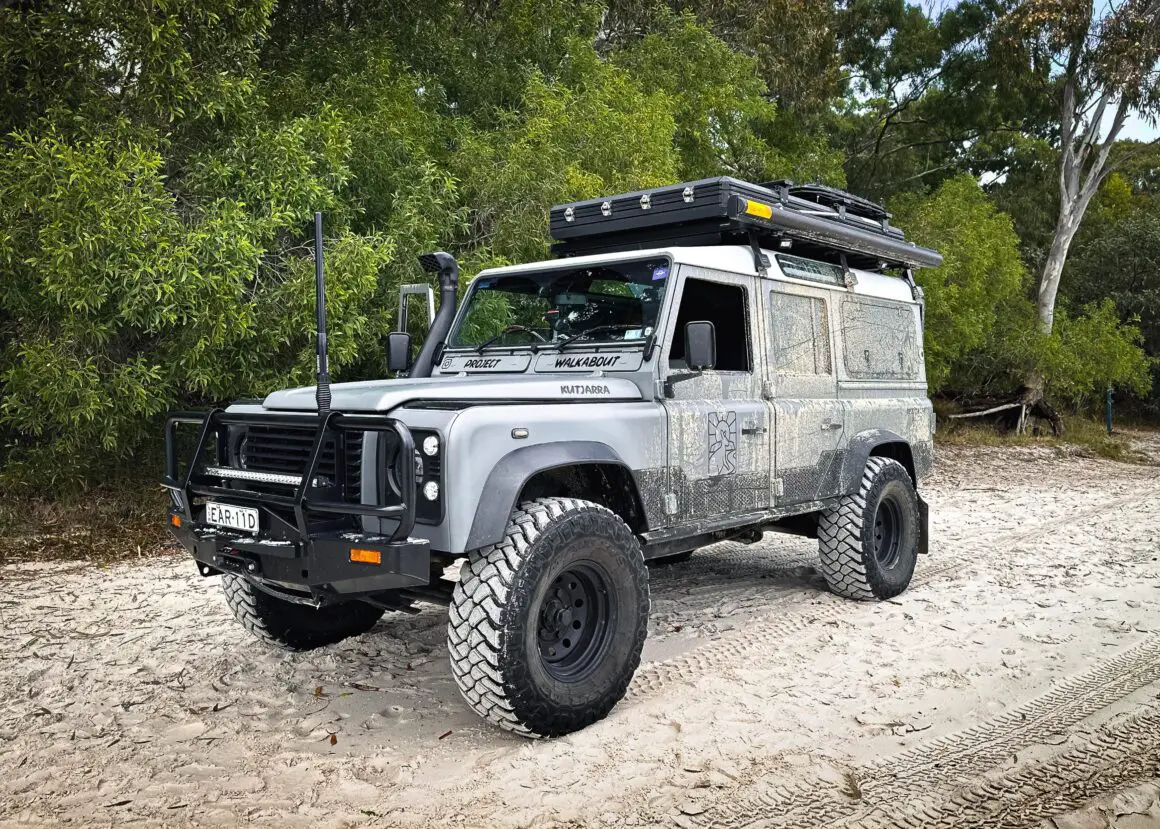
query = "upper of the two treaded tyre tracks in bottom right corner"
{"x": 956, "y": 760}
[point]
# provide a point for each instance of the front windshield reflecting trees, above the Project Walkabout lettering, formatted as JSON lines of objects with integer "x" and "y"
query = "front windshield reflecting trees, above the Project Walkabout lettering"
{"x": 599, "y": 304}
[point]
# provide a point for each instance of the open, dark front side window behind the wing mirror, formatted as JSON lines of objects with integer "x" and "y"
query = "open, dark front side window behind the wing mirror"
{"x": 727, "y": 308}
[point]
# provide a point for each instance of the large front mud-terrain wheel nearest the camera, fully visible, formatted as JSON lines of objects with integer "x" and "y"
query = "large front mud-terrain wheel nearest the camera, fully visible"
{"x": 547, "y": 627}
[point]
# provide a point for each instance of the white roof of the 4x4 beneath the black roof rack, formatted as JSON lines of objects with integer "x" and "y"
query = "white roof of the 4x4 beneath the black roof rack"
{"x": 735, "y": 259}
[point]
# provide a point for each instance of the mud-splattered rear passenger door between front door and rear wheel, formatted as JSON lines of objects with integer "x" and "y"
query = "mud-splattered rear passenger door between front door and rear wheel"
{"x": 808, "y": 418}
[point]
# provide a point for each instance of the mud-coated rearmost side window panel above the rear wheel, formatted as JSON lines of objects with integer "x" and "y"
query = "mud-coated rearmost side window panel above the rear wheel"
{"x": 881, "y": 341}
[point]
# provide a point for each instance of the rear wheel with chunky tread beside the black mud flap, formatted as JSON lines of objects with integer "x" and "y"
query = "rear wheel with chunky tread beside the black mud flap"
{"x": 869, "y": 542}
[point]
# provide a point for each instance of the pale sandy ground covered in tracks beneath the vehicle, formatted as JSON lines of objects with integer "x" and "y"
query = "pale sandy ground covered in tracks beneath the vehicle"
{"x": 1016, "y": 685}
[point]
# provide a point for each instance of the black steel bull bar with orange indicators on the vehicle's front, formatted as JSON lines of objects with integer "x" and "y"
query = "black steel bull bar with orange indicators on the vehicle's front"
{"x": 303, "y": 550}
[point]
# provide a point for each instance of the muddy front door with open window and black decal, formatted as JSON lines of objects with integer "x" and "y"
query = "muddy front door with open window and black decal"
{"x": 719, "y": 425}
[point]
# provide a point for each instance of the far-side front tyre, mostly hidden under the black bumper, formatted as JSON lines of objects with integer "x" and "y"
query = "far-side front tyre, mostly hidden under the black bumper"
{"x": 295, "y": 627}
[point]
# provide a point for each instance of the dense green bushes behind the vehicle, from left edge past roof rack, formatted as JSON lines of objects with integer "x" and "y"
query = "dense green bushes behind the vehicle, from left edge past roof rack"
{"x": 163, "y": 162}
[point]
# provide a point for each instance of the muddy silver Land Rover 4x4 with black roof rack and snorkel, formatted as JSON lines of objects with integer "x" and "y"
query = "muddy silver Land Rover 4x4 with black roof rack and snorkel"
{"x": 702, "y": 362}
